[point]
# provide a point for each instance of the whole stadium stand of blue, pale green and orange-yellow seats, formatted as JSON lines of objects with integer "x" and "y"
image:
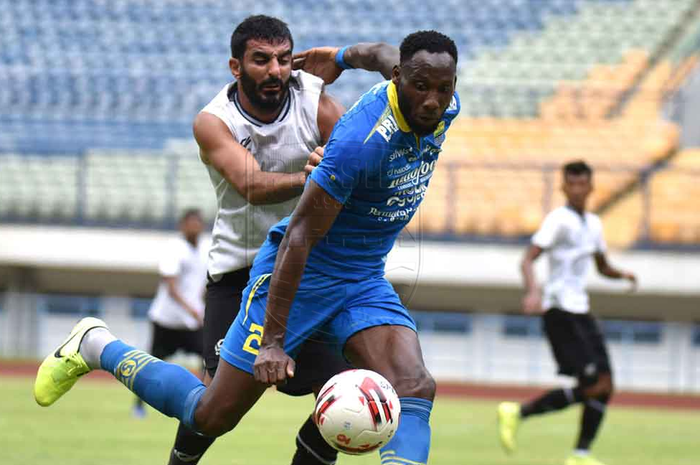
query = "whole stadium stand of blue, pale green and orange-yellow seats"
{"x": 100, "y": 97}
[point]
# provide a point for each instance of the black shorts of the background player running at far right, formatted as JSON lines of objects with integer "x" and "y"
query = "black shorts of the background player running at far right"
{"x": 577, "y": 344}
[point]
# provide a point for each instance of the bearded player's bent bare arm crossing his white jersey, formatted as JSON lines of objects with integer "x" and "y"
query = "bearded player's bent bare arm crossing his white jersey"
{"x": 238, "y": 166}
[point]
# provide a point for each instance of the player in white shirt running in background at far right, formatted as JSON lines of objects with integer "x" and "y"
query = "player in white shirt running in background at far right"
{"x": 570, "y": 236}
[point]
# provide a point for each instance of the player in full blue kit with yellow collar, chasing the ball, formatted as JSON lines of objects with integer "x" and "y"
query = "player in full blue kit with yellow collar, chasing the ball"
{"x": 320, "y": 272}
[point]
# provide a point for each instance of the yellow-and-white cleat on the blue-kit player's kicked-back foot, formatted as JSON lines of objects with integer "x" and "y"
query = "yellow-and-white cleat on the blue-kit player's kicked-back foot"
{"x": 61, "y": 369}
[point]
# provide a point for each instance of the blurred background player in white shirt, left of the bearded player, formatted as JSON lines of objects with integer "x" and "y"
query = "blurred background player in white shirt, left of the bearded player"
{"x": 177, "y": 311}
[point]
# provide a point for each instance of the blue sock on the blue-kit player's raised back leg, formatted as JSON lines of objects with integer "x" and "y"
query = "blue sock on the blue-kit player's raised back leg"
{"x": 168, "y": 388}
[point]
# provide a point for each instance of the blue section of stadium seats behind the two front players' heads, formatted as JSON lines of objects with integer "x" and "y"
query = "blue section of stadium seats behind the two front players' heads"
{"x": 133, "y": 74}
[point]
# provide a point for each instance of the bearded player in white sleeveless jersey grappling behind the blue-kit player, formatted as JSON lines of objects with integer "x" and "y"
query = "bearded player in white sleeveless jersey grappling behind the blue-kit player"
{"x": 257, "y": 139}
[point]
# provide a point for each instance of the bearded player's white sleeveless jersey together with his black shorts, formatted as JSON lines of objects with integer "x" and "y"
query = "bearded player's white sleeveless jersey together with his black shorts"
{"x": 240, "y": 228}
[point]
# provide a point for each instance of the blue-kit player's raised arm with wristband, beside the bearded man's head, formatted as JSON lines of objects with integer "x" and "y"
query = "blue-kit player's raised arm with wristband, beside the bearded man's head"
{"x": 321, "y": 61}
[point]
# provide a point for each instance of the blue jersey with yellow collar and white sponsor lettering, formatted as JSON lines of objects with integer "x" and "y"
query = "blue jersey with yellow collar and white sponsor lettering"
{"x": 379, "y": 170}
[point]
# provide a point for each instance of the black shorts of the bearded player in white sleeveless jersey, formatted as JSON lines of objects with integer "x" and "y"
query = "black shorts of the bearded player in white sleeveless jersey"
{"x": 315, "y": 364}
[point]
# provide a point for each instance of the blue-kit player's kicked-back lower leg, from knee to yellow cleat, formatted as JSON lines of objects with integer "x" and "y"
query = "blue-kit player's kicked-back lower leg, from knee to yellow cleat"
{"x": 169, "y": 388}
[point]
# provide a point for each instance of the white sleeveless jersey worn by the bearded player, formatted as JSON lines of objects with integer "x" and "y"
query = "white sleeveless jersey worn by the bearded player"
{"x": 281, "y": 146}
